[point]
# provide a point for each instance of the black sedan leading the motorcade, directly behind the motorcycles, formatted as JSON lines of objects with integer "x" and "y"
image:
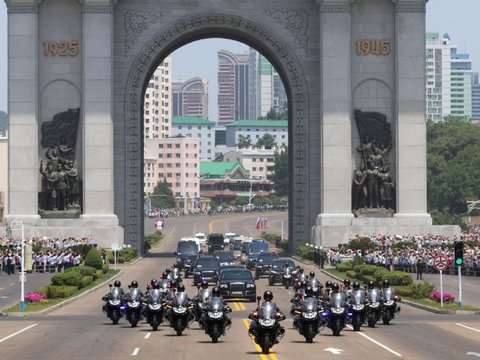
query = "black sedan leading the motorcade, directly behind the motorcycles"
{"x": 237, "y": 284}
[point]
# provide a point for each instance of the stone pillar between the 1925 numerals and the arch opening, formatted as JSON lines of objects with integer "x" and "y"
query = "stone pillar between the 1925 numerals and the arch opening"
{"x": 97, "y": 111}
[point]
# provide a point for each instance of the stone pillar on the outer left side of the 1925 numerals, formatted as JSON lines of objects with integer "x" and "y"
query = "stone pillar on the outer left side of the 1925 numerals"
{"x": 22, "y": 110}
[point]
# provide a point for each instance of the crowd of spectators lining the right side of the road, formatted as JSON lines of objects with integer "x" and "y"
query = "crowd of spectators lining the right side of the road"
{"x": 413, "y": 254}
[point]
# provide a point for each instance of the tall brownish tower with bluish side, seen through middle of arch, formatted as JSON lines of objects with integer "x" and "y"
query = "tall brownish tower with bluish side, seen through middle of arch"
{"x": 233, "y": 87}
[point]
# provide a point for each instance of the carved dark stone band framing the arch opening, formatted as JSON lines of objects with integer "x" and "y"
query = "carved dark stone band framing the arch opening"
{"x": 234, "y": 27}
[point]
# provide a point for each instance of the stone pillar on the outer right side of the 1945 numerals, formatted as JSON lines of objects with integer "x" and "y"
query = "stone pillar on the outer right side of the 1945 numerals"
{"x": 411, "y": 123}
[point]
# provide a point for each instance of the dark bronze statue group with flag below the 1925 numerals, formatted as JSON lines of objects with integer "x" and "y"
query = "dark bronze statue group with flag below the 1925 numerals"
{"x": 61, "y": 185}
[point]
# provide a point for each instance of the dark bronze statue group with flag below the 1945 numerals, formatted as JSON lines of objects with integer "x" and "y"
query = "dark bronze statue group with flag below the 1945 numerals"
{"x": 372, "y": 186}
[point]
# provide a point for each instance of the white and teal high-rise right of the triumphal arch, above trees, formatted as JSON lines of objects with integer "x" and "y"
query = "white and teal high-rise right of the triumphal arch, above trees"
{"x": 448, "y": 79}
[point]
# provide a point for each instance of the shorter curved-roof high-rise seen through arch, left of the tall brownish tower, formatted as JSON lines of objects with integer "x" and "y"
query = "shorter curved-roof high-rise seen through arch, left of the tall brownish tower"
{"x": 190, "y": 97}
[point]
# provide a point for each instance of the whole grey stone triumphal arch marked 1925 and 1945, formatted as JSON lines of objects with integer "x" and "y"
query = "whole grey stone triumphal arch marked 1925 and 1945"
{"x": 355, "y": 80}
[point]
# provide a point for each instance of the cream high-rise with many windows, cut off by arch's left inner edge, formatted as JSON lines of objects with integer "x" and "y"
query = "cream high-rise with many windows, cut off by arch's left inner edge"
{"x": 157, "y": 117}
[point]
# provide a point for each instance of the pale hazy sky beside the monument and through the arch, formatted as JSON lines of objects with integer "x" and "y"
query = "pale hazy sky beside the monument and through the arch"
{"x": 458, "y": 18}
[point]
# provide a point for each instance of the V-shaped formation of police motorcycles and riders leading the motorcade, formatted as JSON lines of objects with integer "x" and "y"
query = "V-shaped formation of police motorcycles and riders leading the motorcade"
{"x": 314, "y": 306}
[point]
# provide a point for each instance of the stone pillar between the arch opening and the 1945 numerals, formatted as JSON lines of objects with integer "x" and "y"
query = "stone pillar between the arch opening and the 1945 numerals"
{"x": 336, "y": 164}
